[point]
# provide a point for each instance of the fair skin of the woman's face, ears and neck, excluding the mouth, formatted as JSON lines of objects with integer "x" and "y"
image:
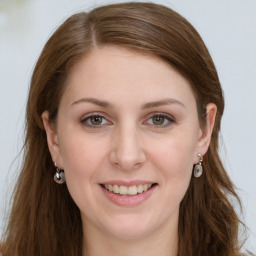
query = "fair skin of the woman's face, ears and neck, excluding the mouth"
{"x": 128, "y": 145}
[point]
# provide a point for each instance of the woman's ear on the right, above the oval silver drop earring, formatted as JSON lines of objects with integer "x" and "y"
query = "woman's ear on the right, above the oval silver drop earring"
{"x": 206, "y": 133}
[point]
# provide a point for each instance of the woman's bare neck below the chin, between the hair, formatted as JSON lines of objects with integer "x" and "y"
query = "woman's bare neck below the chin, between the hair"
{"x": 162, "y": 242}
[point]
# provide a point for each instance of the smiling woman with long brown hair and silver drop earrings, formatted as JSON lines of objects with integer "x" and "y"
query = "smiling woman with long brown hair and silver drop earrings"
{"x": 121, "y": 152}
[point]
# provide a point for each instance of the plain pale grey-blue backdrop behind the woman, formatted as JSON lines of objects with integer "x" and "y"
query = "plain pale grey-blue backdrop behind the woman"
{"x": 228, "y": 28}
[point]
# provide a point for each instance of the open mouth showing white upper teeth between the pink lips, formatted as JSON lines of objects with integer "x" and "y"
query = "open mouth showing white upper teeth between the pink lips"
{"x": 128, "y": 190}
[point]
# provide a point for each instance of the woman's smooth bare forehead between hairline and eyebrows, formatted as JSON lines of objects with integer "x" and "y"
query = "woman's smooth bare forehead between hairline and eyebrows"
{"x": 112, "y": 73}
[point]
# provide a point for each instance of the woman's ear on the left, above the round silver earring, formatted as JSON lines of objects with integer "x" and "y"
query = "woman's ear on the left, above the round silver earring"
{"x": 52, "y": 139}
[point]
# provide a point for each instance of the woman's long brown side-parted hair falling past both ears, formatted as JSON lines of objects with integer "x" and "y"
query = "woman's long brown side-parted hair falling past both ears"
{"x": 44, "y": 219}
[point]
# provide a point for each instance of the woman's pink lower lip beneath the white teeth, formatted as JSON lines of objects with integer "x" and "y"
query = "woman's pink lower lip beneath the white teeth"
{"x": 128, "y": 200}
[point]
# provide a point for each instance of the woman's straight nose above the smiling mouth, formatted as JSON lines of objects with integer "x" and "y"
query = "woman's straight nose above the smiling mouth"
{"x": 127, "y": 150}
